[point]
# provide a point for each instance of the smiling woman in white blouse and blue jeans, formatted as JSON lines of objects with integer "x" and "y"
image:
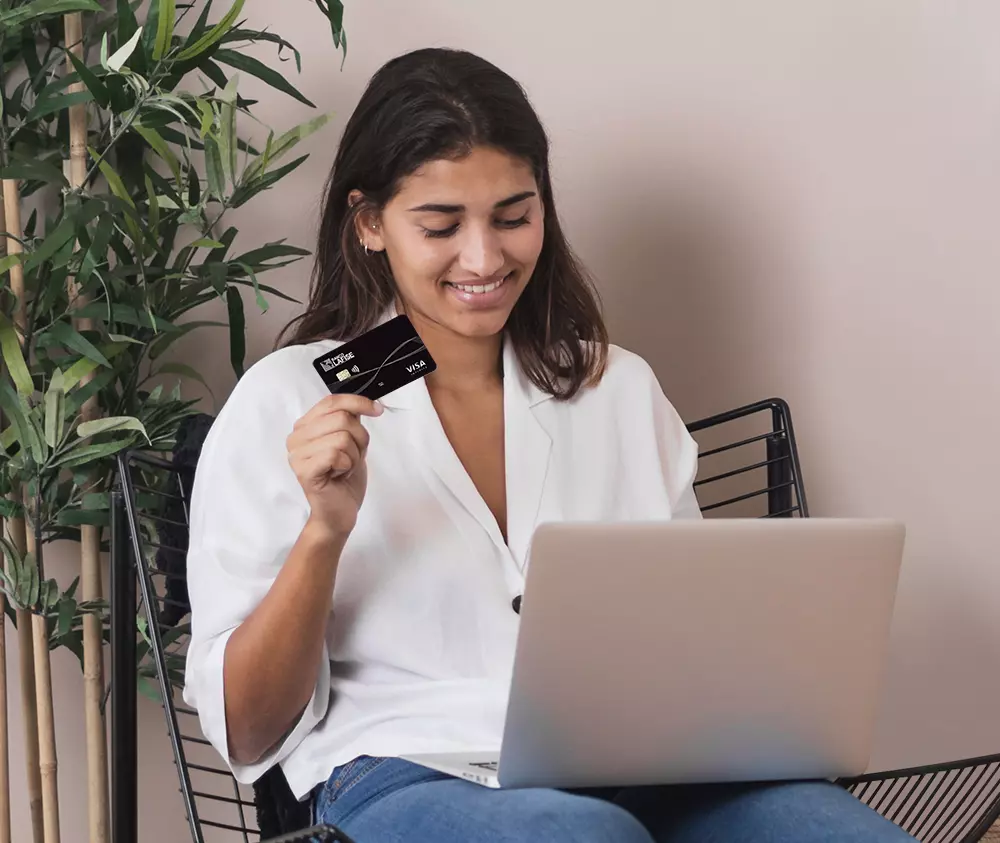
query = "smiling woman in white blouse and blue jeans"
{"x": 352, "y": 564}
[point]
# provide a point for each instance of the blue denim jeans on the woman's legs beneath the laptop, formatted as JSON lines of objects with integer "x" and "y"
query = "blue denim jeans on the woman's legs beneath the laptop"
{"x": 387, "y": 800}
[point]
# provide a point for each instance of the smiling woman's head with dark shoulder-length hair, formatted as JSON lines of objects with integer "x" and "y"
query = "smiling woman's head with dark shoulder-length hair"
{"x": 440, "y": 202}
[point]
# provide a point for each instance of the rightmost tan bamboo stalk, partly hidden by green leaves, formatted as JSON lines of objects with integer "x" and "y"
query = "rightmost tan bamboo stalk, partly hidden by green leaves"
{"x": 90, "y": 536}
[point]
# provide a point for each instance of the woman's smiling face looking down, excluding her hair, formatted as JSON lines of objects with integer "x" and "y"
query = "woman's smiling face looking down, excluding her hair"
{"x": 462, "y": 238}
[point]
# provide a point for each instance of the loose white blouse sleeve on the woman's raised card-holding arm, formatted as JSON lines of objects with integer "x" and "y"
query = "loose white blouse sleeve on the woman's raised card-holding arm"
{"x": 247, "y": 510}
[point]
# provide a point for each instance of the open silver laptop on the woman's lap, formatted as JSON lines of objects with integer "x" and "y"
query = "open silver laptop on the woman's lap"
{"x": 694, "y": 652}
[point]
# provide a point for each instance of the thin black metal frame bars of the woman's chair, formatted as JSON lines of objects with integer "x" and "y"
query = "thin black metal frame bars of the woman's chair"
{"x": 785, "y": 498}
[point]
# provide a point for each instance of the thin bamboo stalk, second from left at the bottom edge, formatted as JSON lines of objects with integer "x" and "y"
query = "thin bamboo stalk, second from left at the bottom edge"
{"x": 18, "y": 535}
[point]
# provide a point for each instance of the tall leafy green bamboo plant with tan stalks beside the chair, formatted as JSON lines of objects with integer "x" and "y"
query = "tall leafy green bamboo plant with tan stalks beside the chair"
{"x": 120, "y": 158}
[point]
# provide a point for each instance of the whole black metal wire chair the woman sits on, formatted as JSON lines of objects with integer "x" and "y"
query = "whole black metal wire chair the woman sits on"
{"x": 748, "y": 467}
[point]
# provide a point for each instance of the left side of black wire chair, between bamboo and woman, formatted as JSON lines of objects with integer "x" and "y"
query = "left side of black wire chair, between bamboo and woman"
{"x": 150, "y": 523}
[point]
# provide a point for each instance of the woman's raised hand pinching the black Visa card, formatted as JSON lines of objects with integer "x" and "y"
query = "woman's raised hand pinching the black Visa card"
{"x": 326, "y": 450}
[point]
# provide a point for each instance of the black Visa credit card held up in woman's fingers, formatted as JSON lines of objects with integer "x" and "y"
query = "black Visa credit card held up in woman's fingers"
{"x": 376, "y": 363}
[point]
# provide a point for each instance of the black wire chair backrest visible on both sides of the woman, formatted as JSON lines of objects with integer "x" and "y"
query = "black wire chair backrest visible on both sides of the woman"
{"x": 748, "y": 464}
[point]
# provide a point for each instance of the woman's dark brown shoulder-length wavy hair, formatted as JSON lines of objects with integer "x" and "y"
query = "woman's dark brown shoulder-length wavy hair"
{"x": 435, "y": 104}
